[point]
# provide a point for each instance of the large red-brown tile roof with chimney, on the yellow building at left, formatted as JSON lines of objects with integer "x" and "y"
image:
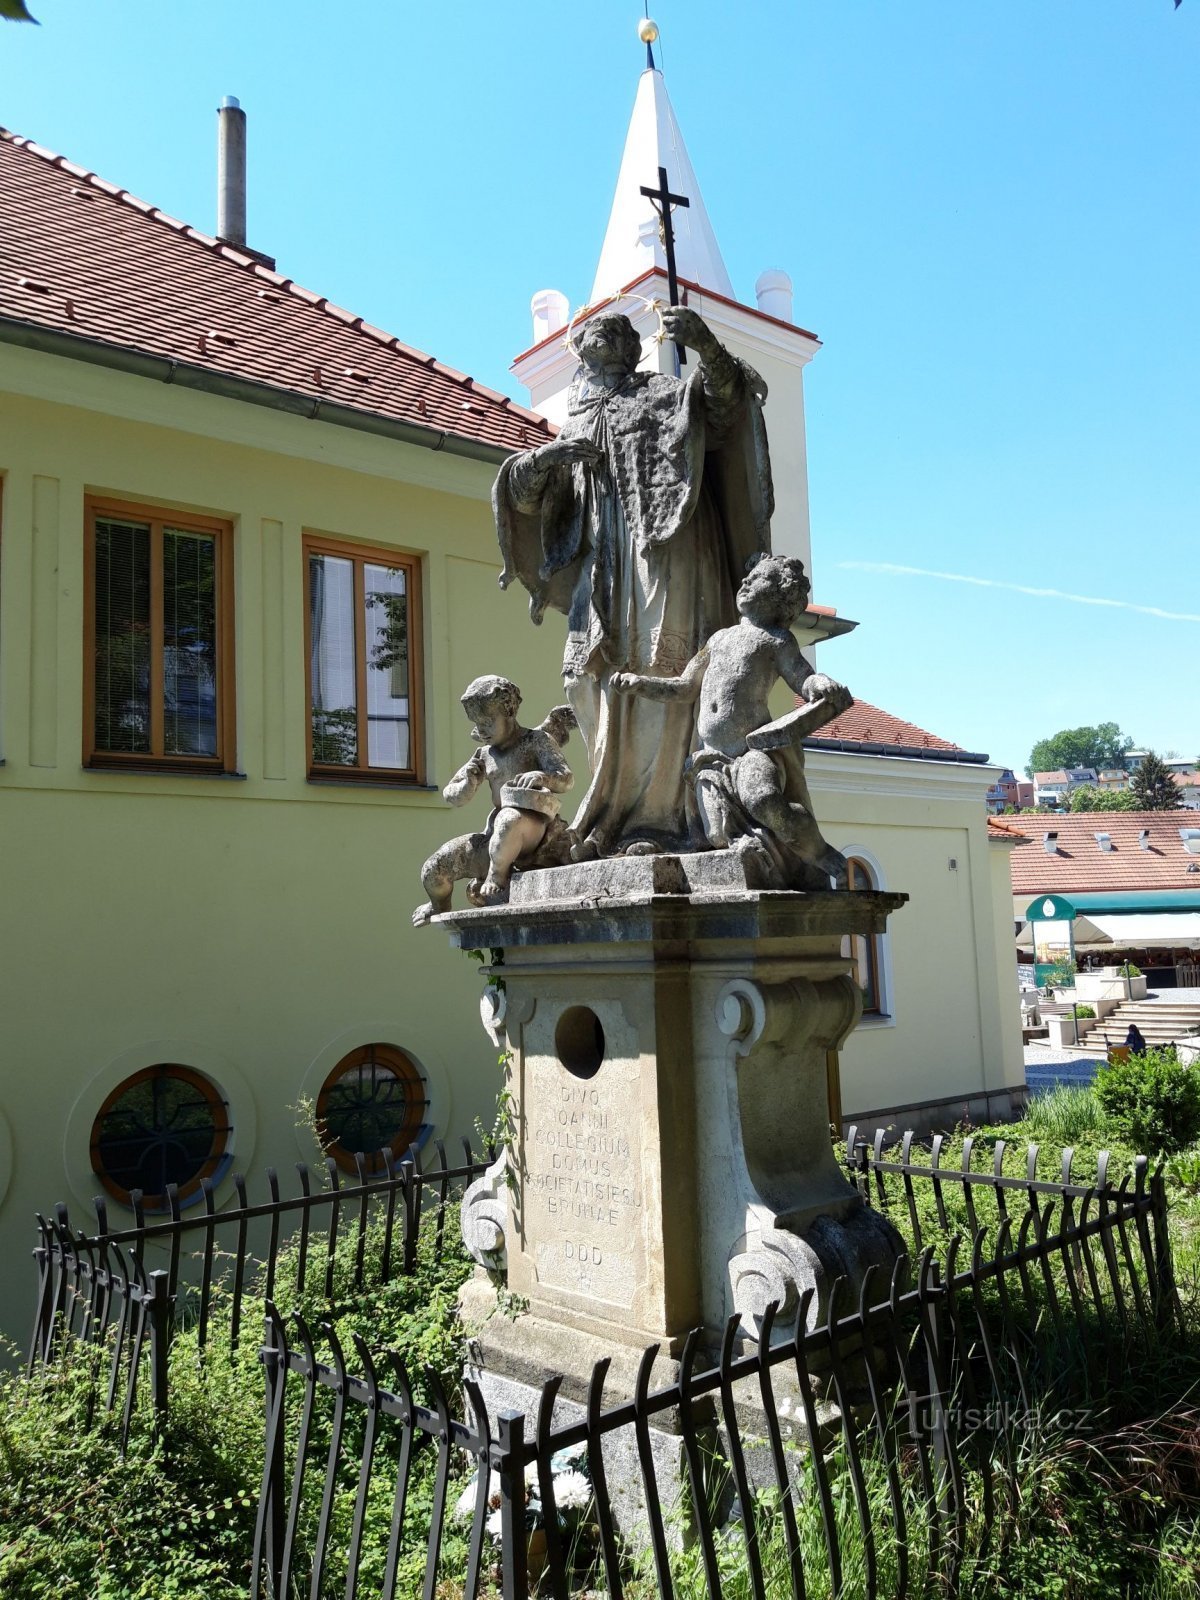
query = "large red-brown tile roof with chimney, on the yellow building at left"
{"x": 82, "y": 257}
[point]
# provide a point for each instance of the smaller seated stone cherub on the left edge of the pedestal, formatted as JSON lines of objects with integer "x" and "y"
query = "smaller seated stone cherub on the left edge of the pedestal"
{"x": 526, "y": 772}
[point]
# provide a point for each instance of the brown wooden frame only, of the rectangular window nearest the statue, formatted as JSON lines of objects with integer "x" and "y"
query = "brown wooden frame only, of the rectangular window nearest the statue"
{"x": 361, "y": 556}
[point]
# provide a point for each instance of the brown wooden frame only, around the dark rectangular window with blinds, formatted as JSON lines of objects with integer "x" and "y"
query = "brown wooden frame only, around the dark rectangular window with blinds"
{"x": 156, "y": 759}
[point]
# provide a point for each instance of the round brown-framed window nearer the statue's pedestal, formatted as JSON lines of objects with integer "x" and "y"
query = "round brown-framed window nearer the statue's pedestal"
{"x": 374, "y": 1100}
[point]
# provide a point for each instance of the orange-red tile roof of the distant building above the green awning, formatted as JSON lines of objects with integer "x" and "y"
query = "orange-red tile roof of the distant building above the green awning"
{"x": 1081, "y": 866}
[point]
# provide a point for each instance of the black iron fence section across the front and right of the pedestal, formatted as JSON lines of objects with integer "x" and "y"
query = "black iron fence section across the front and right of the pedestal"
{"x": 870, "y": 1450}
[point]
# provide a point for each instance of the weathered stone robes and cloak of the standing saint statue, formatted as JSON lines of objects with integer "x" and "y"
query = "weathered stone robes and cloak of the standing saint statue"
{"x": 644, "y": 553}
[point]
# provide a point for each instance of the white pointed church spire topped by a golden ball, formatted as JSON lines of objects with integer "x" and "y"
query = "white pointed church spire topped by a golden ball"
{"x": 633, "y": 242}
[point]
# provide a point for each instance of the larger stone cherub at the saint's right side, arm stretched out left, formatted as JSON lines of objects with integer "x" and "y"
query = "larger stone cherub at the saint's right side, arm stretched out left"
{"x": 746, "y": 778}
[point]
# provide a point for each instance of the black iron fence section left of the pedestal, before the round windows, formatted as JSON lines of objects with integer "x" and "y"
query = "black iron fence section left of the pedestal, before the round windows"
{"x": 127, "y": 1294}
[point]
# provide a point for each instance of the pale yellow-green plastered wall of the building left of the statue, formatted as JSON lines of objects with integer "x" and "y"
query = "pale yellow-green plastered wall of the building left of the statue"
{"x": 255, "y": 929}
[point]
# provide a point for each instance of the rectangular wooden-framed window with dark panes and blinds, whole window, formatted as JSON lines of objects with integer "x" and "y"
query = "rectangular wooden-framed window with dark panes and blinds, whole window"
{"x": 159, "y": 641}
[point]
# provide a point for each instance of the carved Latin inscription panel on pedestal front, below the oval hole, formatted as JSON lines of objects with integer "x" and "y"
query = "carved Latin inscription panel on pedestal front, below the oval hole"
{"x": 583, "y": 1190}
